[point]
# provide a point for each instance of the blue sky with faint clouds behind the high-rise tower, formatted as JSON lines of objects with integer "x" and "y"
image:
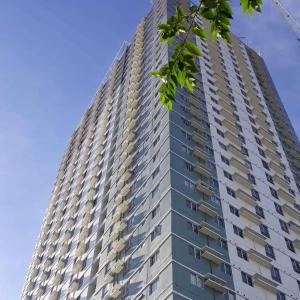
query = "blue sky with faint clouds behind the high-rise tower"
{"x": 53, "y": 55}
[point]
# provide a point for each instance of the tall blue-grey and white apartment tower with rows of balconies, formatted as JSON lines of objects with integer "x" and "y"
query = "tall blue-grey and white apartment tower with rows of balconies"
{"x": 198, "y": 203}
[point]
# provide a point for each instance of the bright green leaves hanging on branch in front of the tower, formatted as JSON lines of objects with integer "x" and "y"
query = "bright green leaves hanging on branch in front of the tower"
{"x": 181, "y": 69}
